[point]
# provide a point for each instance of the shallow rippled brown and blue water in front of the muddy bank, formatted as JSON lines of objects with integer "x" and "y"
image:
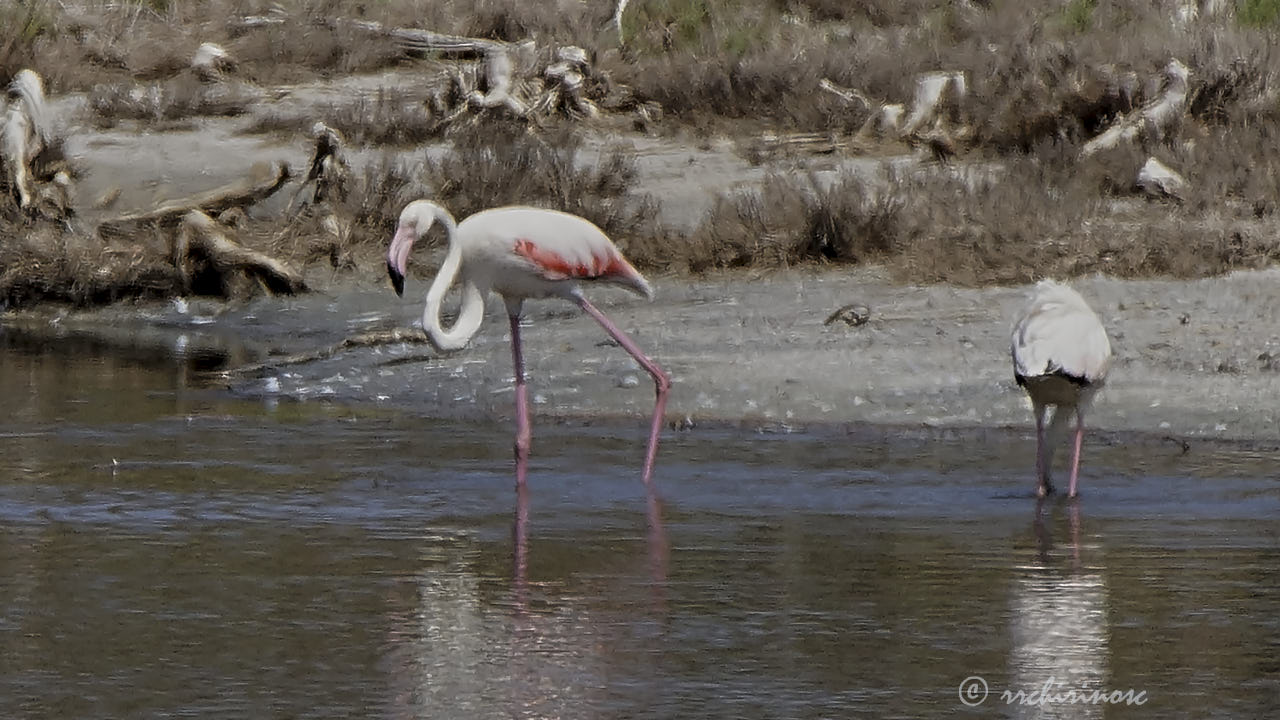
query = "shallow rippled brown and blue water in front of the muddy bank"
{"x": 170, "y": 550}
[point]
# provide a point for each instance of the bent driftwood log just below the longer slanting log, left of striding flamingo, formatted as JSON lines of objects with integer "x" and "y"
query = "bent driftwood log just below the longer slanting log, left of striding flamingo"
{"x": 200, "y": 238}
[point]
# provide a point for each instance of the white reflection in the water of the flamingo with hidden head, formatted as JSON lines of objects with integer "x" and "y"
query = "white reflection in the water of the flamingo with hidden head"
{"x": 1059, "y": 622}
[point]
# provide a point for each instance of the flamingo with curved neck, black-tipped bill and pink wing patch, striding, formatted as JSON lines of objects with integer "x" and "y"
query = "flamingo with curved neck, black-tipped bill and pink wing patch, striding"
{"x": 522, "y": 253}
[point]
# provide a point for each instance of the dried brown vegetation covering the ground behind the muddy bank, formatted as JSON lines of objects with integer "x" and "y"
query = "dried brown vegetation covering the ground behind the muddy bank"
{"x": 1017, "y": 197}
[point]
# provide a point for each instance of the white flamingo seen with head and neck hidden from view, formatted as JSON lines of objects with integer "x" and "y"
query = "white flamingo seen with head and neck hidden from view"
{"x": 1062, "y": 356}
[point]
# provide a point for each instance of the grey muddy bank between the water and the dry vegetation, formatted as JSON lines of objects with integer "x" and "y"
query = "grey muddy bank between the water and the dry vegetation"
{"x": 1194, "y": 359}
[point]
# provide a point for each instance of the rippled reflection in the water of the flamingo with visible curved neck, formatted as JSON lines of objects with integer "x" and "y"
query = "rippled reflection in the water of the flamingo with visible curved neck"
{"x": 537, "y": 651}
